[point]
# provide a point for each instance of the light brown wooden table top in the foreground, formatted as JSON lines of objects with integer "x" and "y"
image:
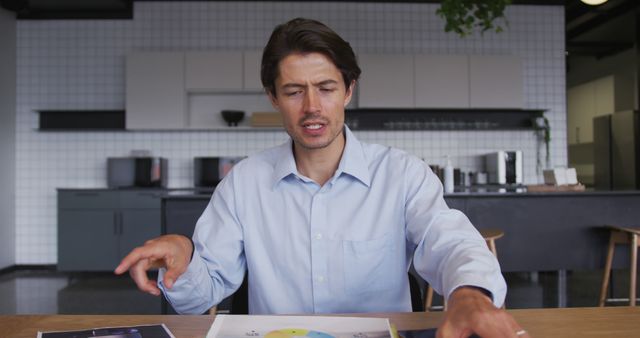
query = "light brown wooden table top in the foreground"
{"x": 563, "y": 322}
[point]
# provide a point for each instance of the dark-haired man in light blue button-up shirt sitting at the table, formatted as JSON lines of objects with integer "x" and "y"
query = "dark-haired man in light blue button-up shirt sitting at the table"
{"x": 325, "y": 223}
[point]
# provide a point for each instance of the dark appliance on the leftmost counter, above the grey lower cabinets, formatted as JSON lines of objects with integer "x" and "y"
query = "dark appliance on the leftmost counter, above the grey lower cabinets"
{"x": 130, "y": 172}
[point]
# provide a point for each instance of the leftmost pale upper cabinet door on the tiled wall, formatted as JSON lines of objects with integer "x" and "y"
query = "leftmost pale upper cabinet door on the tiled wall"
{"x": 155, "y": 91}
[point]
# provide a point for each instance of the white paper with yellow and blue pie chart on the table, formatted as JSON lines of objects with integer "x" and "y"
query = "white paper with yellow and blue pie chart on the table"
{"x": 243, "y": 326}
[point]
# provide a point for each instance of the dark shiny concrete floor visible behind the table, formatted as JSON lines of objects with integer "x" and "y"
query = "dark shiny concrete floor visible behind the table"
{"x": 46, "y": 291}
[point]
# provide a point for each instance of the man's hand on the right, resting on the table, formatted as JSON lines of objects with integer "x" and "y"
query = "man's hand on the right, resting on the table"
{"x": 469, "y": 311}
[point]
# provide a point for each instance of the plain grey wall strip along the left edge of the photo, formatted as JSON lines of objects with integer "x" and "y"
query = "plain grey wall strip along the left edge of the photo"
{"x": 7, "y": 137}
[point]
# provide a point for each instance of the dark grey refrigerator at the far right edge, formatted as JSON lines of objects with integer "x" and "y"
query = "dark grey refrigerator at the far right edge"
{"x": 616, "y": 150}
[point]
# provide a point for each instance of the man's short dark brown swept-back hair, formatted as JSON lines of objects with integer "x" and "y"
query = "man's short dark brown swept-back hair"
{"x": 306, "y": 36}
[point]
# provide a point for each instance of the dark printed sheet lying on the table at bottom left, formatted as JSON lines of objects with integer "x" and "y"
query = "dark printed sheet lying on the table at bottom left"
{"x": 143, "y": 331}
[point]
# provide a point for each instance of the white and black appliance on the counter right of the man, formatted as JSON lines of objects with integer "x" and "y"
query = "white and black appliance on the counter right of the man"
{"x": 504, "y": 167}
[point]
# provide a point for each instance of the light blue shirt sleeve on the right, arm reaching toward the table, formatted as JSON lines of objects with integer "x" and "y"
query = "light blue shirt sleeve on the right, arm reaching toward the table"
{"x": 448, "y": 250}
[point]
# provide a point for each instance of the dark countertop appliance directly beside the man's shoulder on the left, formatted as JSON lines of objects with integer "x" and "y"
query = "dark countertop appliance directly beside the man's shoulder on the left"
{"x": 209, "y": 171}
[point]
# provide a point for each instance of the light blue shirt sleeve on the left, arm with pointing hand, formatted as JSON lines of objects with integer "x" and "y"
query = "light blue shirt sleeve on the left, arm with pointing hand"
{"x": 218, "y": 264}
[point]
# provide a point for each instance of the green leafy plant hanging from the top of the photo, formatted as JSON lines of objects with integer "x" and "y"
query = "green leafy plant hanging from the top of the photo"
{"x": 462, "y": 16}
